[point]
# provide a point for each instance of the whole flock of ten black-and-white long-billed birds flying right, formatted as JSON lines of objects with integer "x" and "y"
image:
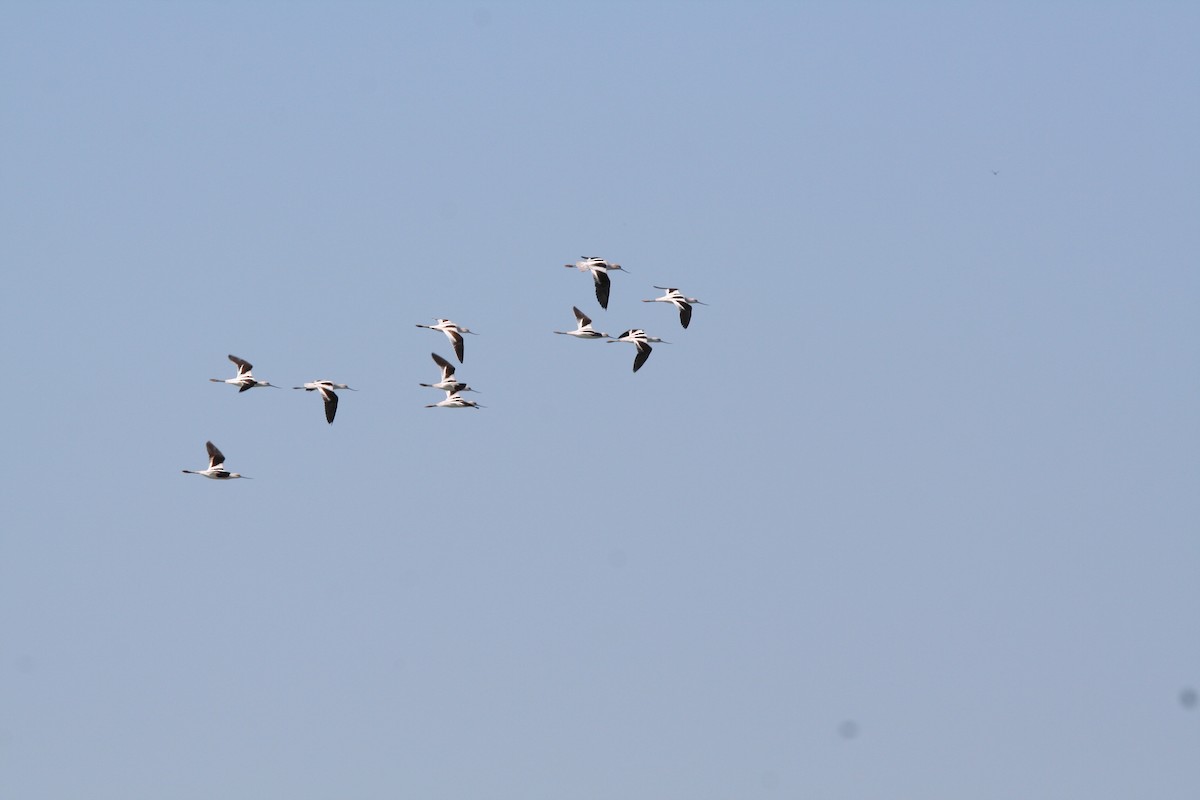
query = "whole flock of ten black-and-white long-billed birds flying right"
{"x": 454, "y": 389}
